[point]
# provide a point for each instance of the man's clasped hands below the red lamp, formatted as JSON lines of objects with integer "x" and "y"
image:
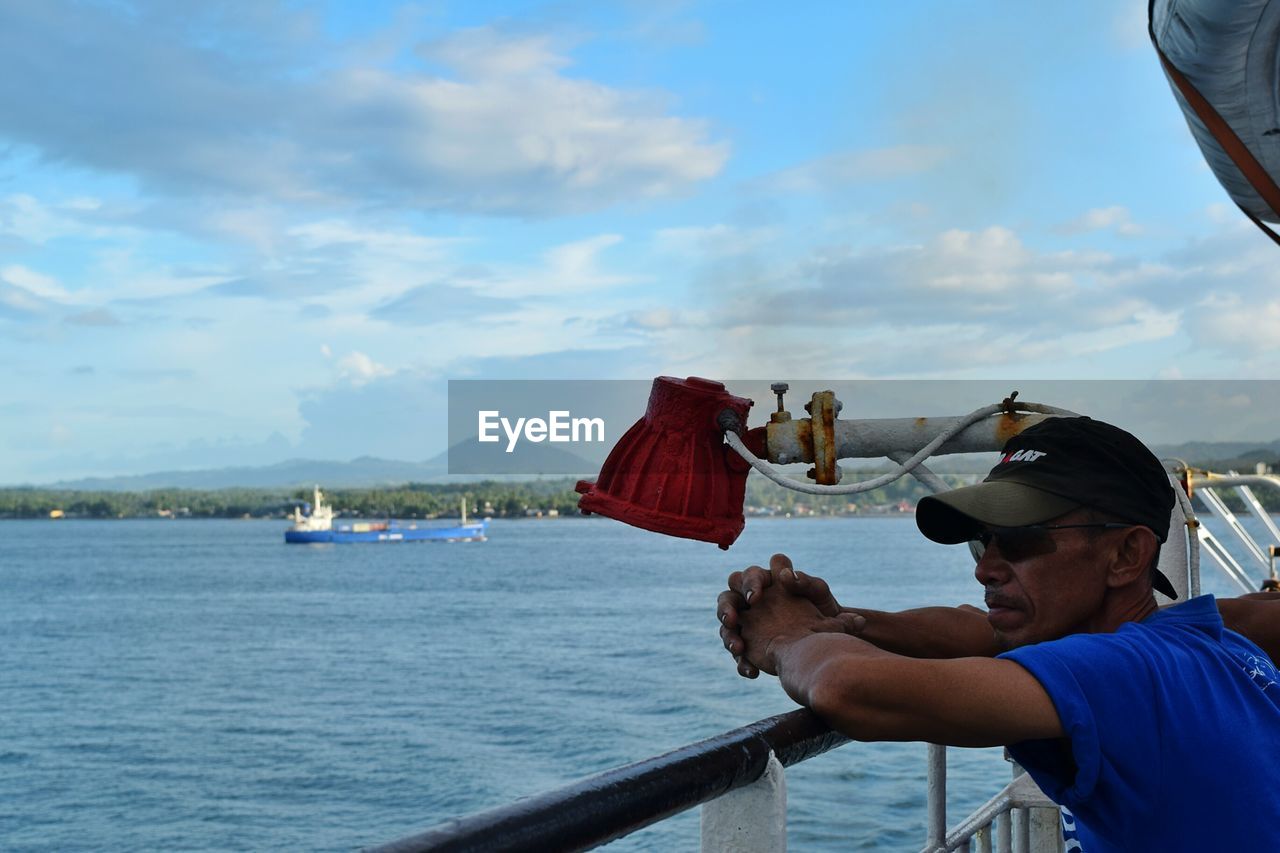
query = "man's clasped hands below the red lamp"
{"x": 765, "y": 609}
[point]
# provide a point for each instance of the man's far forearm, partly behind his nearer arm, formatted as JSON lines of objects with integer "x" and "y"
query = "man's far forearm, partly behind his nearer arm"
{"x": 930, "y": 632}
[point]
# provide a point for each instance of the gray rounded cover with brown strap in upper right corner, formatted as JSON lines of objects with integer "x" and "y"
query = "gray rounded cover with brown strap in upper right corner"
{"x": 1231, "y": 52}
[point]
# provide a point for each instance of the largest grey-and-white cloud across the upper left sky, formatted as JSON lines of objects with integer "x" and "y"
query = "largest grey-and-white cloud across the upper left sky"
{"x": 506, "y": 134}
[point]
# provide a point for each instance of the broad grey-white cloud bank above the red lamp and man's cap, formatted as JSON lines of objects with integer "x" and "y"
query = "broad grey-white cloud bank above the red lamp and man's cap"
{"x": 962, "y": 300}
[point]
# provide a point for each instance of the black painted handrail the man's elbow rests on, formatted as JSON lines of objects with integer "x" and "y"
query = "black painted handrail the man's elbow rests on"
{"x": 616, "y": 802}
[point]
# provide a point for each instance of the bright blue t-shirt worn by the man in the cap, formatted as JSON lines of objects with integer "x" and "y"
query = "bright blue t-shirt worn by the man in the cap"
{"x": 1173, "y": 736}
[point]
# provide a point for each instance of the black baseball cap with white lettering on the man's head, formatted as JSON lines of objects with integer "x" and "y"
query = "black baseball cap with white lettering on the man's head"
{"x": 1052, "y": 468}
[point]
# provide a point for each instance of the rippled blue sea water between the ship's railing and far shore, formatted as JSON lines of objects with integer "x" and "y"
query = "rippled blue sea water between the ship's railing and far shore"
{"x": 203, "y": 686}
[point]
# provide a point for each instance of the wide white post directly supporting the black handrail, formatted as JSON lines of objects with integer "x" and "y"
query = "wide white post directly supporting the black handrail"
{"x": 752, "y": 819}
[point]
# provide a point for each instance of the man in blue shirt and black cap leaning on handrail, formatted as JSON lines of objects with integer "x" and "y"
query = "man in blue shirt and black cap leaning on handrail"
{"x": 1158, "y": 729}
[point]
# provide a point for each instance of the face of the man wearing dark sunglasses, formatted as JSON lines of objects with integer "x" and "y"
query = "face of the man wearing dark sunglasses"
{"x": 1046, "y": 585}
